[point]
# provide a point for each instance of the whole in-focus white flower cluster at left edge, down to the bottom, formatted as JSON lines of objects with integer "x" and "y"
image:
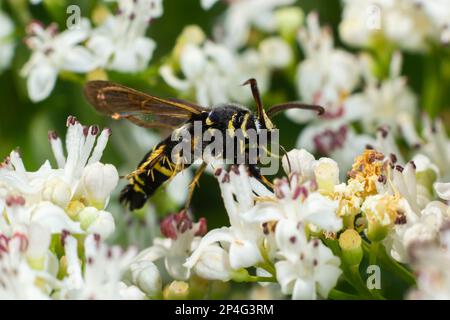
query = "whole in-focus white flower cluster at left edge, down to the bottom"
{"x": 46, "y": 215}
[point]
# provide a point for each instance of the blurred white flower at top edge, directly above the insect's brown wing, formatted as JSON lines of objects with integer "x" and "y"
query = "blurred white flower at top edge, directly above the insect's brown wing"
{"x": 120, "y": 42}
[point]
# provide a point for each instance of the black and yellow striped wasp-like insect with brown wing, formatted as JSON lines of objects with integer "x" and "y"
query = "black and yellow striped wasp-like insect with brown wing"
{"x": 148, "y": 111}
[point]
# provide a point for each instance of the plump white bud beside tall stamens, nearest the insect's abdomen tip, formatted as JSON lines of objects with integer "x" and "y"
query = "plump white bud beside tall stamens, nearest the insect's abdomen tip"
{"x": 98, "y": 181}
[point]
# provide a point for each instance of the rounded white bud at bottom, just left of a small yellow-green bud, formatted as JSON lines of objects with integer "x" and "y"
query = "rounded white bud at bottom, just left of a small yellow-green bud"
{"x": 145, "y": 275}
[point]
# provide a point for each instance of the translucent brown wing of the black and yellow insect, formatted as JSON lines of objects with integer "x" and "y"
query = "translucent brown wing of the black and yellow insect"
{"x": 145, "y": 110}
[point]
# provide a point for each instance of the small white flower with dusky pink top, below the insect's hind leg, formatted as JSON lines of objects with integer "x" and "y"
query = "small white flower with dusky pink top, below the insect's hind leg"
{"x": 182, "y": 237}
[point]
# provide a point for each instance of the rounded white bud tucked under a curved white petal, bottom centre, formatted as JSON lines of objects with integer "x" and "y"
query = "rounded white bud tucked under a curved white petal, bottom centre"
{"x": 214, "y": 264}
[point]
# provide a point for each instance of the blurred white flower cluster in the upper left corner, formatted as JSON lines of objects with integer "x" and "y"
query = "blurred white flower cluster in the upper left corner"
{"x": 118, "y": 43}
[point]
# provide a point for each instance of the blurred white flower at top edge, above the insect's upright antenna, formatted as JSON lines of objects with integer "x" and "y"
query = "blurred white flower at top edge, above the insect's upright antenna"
{"x": 242, "y": 15}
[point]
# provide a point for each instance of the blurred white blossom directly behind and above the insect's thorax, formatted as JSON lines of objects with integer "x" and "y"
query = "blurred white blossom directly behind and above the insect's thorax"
{"x": 214, "y": 72}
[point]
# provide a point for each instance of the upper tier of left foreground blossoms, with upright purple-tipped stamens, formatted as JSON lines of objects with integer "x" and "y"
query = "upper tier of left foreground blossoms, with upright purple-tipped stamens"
{"x": 63, "y": 198}
